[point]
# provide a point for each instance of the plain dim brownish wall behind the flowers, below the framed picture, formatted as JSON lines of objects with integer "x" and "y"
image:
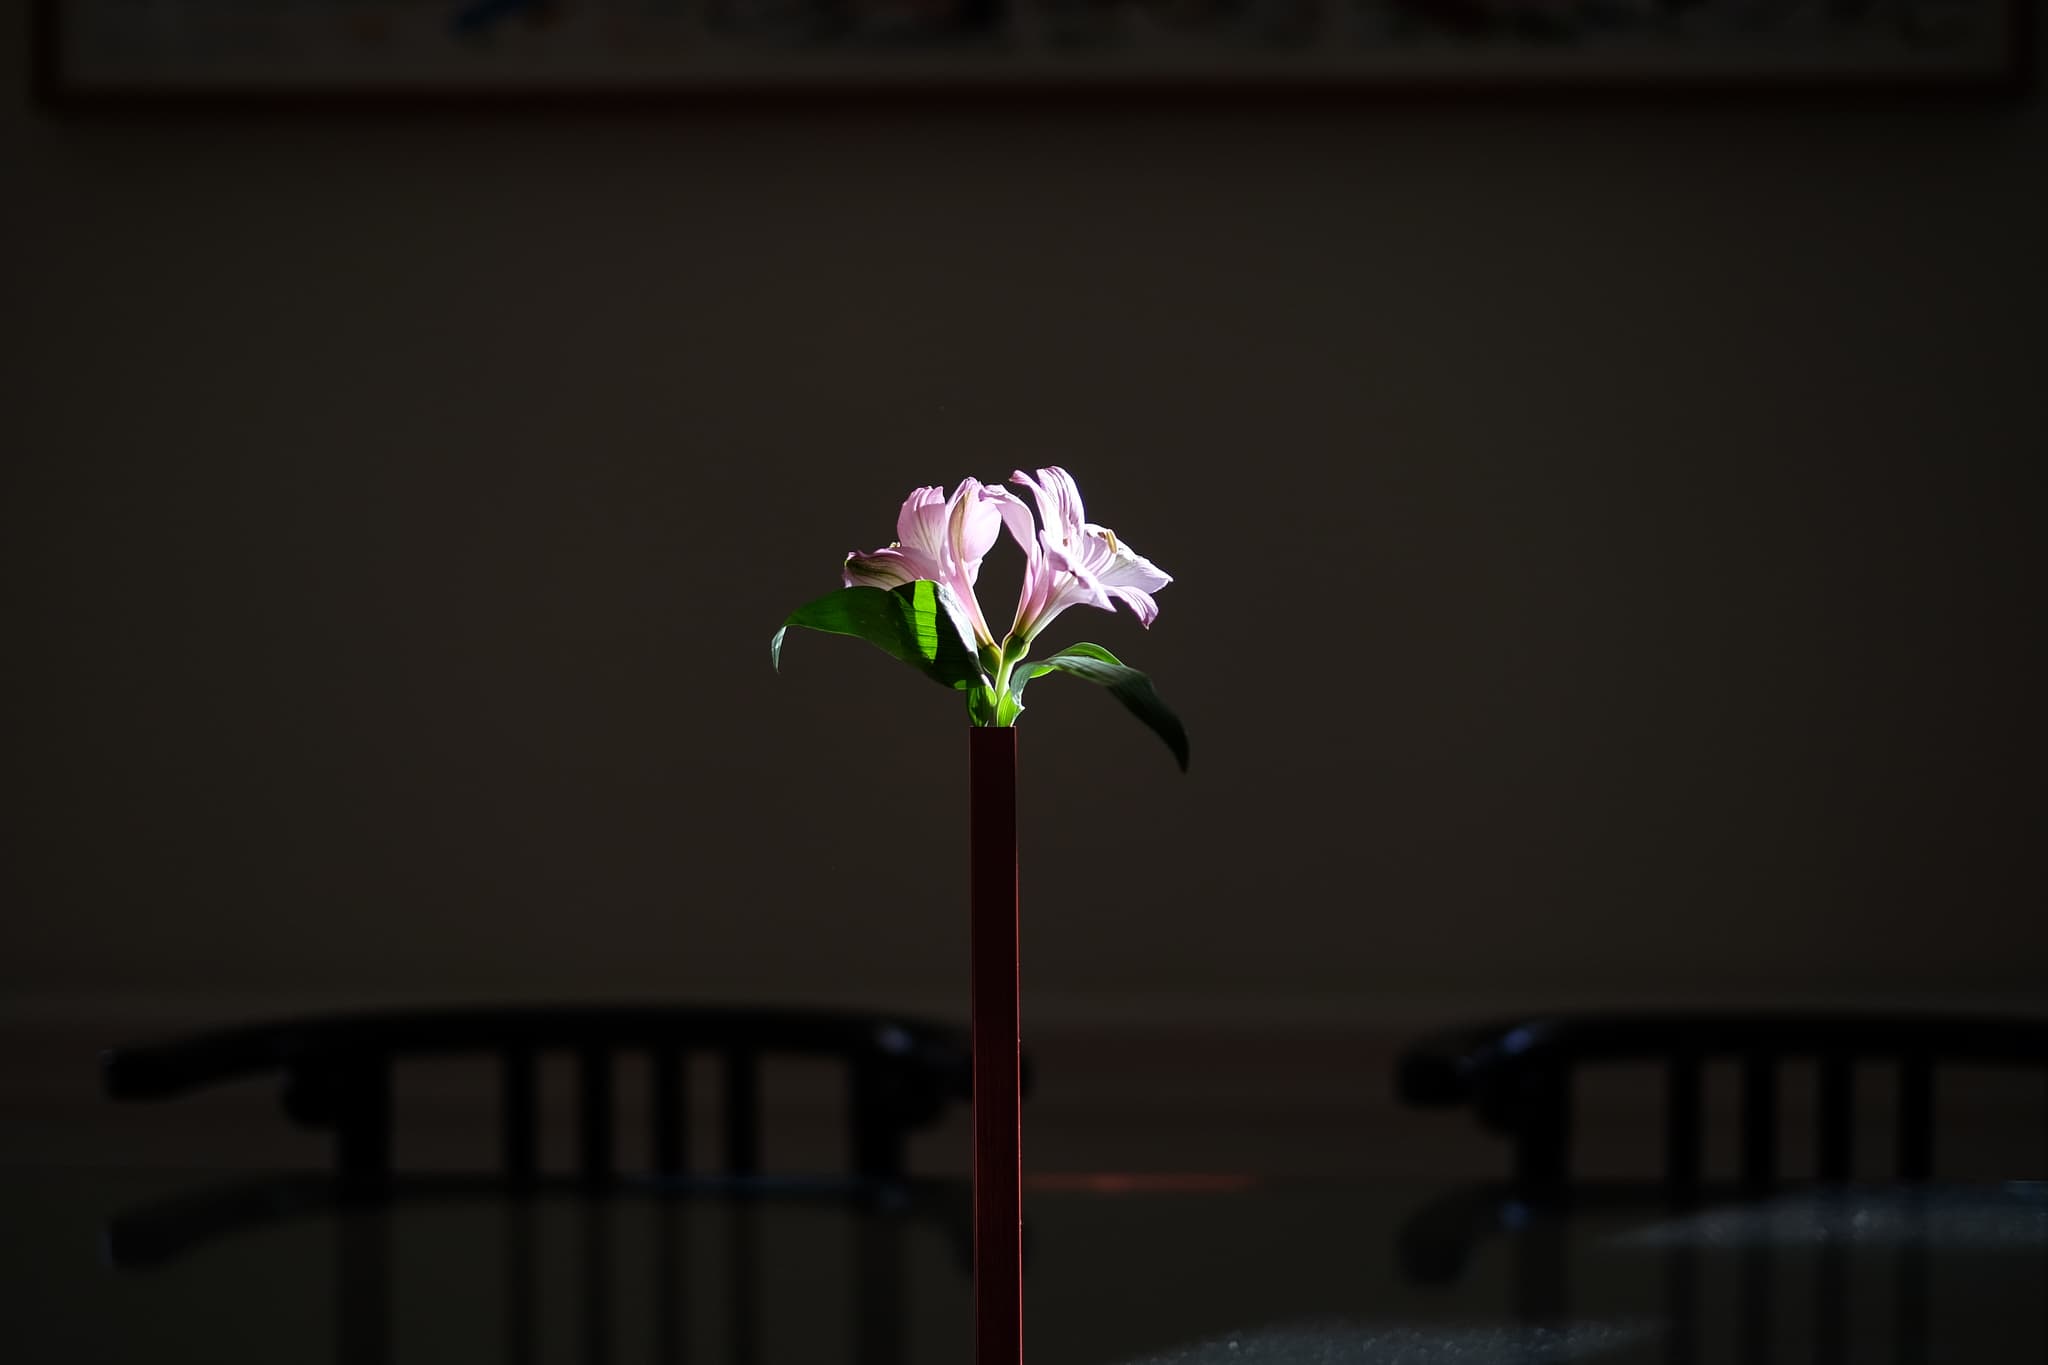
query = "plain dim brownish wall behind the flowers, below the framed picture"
{"x": 1609, "y": 554}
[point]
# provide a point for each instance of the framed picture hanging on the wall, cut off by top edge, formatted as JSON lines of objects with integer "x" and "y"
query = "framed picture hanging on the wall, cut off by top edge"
{"x": 652, "y": 50}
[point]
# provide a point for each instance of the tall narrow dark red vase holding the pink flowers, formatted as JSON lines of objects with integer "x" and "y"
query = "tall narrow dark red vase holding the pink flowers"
{"x": 992, "y": 875}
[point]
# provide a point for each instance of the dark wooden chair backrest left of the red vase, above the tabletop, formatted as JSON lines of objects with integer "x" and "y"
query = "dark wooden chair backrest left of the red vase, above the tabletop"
{"x": 902, "y": 1075}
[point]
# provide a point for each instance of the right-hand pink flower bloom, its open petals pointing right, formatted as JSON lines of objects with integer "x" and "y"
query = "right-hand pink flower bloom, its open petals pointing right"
{"x": 1072, "y": 562}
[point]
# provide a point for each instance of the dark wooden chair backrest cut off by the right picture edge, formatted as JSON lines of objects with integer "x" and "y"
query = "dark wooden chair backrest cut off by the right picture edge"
{"x": 1517, "y": 1077}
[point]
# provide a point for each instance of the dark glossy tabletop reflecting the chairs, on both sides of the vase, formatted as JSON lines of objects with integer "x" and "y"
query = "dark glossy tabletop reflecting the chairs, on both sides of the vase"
{"x": 110, "y": 1266}
